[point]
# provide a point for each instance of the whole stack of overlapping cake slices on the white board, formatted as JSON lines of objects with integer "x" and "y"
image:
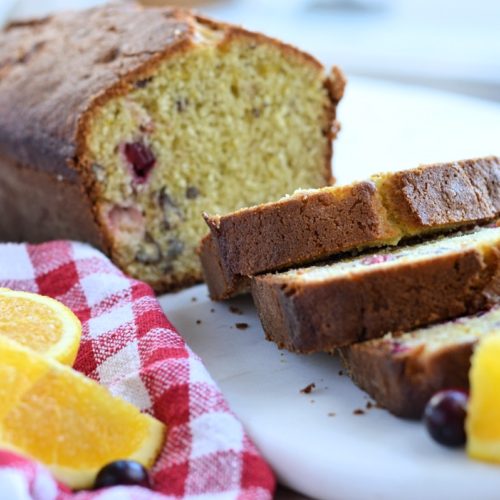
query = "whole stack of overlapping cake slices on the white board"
{"x": 399, "y": 273}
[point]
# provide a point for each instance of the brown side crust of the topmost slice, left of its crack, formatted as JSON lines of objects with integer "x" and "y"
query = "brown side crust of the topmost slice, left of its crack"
{"x": 294, "y": 230}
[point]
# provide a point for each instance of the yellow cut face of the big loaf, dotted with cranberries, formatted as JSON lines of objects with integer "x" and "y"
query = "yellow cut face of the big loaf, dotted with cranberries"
{"x": 232, "y": 121}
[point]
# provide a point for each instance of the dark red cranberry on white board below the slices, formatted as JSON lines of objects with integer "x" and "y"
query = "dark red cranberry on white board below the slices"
{"x": 444, "y": 417}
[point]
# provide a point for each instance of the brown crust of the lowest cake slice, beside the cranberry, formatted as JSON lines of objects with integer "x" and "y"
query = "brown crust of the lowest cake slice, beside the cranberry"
{"x": 403, "y": 382}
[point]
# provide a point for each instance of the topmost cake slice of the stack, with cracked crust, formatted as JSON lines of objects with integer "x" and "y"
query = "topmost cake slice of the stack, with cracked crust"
{"x": 315, "y": 224}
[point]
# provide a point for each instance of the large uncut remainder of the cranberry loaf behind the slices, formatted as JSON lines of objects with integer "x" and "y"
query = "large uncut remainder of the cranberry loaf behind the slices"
{"x": 120, "y": 125}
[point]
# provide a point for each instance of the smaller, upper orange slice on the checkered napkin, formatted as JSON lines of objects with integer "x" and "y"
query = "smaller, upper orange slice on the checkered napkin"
{"x": 40, "y": 323}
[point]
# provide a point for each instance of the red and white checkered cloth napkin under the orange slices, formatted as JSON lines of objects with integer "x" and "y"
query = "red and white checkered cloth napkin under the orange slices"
{"x": 129, "y": 346}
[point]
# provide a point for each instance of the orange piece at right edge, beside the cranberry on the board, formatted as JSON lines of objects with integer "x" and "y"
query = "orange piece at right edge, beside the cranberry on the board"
{"x": 483, "y": 414}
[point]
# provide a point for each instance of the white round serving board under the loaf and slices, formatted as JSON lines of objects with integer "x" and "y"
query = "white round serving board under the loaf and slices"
{"x": 314, "y": 442}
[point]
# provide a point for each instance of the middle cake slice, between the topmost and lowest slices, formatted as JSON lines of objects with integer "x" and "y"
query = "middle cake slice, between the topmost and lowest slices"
{"x": 323, "y": 307}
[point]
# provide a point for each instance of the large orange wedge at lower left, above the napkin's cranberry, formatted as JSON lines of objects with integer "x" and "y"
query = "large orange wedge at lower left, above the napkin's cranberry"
{"x": 68, "y": 422}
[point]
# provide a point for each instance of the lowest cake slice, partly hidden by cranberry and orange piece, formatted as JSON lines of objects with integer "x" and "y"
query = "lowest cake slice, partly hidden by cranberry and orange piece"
{"x": 402, "y": 372}
